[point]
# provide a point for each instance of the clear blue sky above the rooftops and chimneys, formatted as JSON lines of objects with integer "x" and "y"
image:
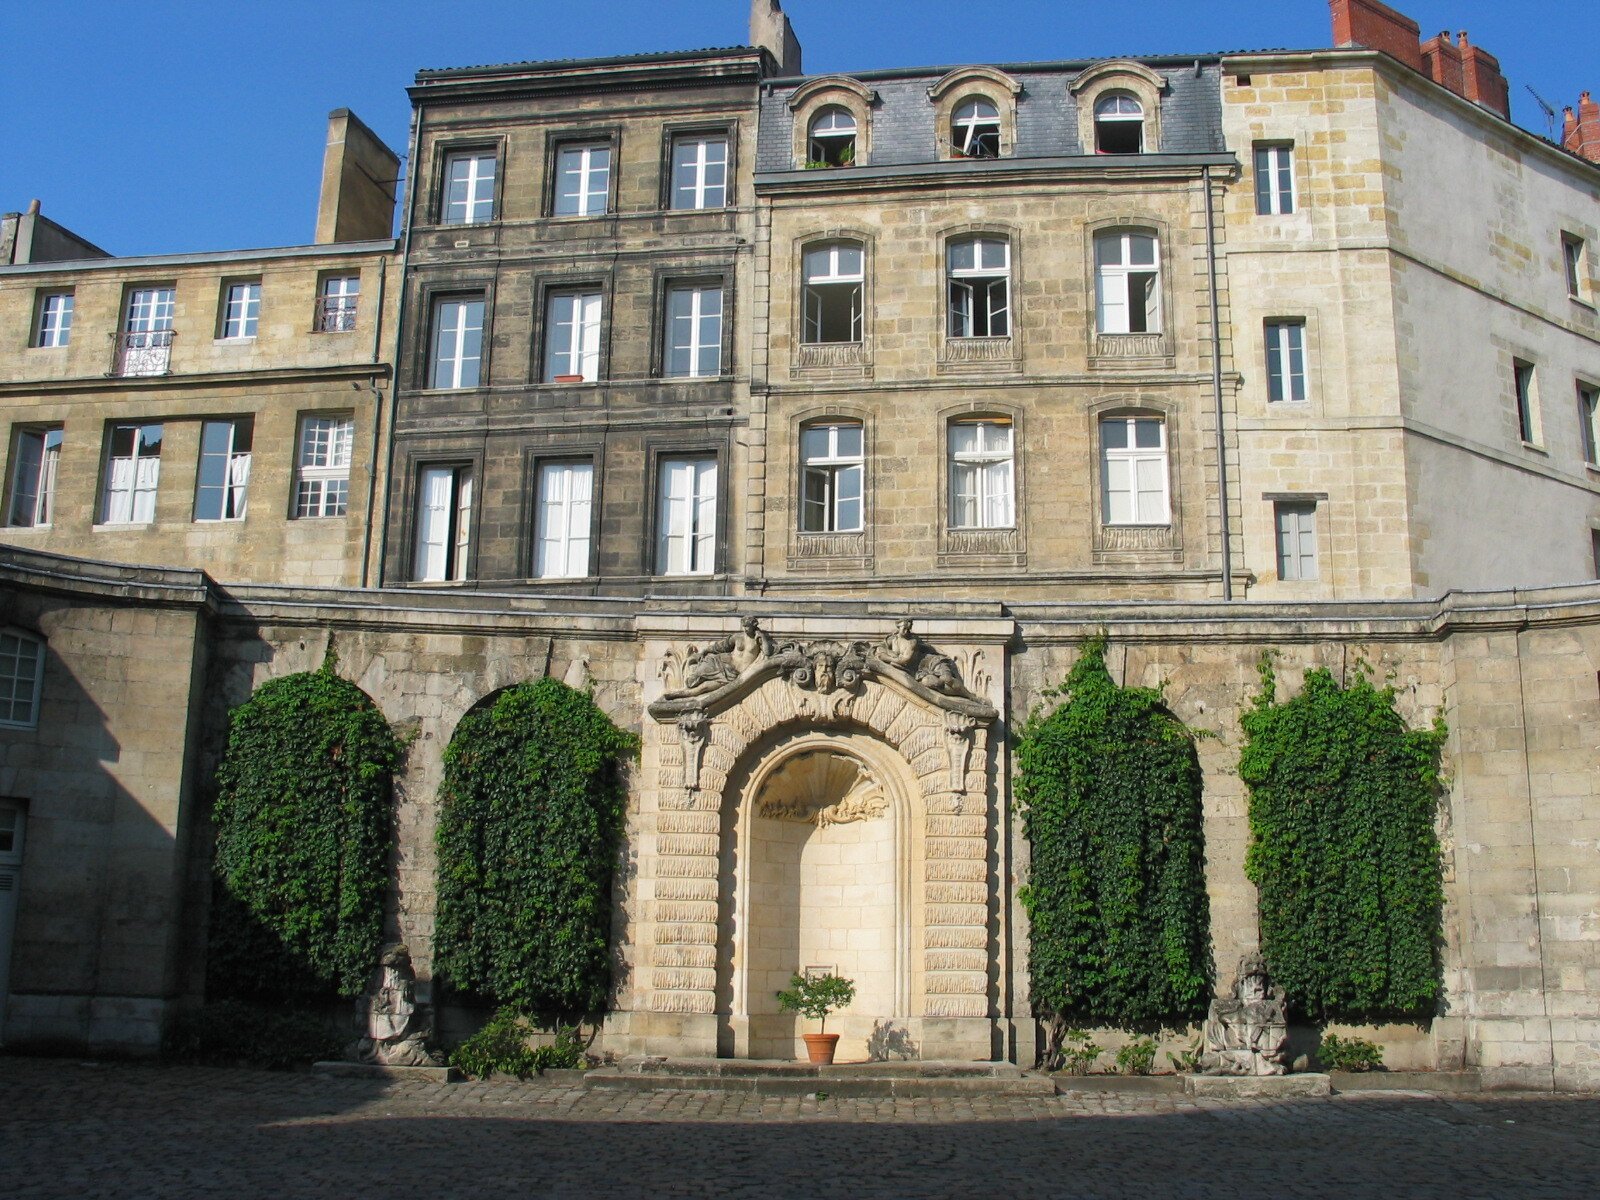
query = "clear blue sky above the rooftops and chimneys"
{"x": 186, "y": 126}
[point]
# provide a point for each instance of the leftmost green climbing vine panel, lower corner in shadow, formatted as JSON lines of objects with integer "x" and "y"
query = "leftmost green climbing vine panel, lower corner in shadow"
{"x": 303, "y": 834}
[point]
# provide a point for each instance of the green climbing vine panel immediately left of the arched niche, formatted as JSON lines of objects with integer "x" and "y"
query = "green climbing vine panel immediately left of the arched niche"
{"x": 529, "y": 822}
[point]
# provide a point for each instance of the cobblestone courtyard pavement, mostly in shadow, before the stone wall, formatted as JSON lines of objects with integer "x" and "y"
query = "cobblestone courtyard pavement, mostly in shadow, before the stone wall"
{"x": 118, "y": 1130}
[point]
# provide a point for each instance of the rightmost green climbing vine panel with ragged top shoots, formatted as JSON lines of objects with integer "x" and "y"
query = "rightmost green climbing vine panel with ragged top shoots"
{"x": 1345, "y": 854}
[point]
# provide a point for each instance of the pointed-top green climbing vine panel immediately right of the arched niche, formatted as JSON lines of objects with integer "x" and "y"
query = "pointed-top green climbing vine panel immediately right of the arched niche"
{"x": 1118, "y": 905}
